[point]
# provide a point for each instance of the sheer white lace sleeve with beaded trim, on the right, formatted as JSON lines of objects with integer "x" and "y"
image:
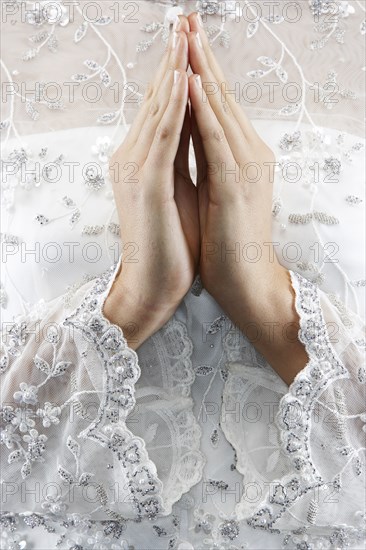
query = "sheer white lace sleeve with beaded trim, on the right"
{"x": 297, "y": 429}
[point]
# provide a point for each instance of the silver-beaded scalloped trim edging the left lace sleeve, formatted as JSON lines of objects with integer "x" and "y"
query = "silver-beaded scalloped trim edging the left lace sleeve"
{"x": 122, "y": 371}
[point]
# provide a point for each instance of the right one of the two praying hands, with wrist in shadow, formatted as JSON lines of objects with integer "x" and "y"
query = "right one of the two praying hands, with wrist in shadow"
{"x": 238, "y": 265}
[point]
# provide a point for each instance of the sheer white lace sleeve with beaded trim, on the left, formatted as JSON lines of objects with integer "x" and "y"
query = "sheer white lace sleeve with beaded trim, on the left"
{"x": 86, "y": 430}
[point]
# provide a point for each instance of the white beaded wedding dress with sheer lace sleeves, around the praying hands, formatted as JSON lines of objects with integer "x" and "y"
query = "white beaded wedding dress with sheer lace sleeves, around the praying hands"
{"x": 194, "y": 441}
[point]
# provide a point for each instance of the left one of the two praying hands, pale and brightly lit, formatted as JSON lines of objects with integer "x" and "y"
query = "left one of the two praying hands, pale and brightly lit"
{"x": 156, "y": 203}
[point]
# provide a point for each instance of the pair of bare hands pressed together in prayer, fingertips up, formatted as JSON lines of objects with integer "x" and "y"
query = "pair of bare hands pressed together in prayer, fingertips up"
{"x": 180, "y": 227}
